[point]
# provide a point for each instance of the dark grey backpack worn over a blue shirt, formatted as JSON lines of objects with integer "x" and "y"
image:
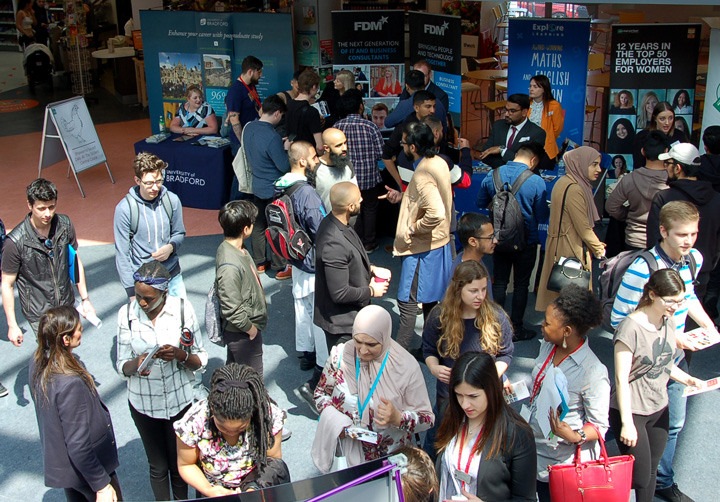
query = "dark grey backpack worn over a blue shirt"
{"x": 506, "y": 214}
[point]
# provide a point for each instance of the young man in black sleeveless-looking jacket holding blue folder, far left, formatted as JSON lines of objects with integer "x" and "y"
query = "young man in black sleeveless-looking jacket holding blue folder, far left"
{"x": 36, "y": 255}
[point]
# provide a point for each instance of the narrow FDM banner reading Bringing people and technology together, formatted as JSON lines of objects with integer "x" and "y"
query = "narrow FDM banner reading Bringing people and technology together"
{"x": 438, "y": 40}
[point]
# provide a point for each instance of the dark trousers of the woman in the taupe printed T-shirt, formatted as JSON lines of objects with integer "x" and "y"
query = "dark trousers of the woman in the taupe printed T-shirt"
{"x": 652, "y": 436}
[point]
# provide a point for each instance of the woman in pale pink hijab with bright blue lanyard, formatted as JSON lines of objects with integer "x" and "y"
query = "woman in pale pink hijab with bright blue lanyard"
{"x": 373, "y": 386}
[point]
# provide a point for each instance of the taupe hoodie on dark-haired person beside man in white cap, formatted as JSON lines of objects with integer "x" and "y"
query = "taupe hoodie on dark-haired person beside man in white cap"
{"x": 631, "y": 201}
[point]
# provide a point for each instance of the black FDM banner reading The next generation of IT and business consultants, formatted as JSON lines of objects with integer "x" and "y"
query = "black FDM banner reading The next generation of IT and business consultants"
{"x": 365, "y": 43}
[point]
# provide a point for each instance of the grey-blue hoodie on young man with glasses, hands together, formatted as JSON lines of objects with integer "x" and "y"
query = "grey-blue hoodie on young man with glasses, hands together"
{"x": 153, "y": 232}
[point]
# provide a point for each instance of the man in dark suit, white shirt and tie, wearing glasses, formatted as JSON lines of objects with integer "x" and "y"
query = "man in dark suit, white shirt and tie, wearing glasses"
{"x": 506, "y": 137}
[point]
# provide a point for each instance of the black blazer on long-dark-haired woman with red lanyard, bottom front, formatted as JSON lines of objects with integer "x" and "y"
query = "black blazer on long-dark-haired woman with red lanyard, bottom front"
{"x": 509, "y": 477}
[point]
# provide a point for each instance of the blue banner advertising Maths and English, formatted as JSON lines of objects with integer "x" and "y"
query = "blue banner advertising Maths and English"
{"x": 556, "y": 48}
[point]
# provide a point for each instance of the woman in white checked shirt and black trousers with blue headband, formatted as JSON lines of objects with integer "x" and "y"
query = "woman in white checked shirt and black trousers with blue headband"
{"x": 161, "y": 393}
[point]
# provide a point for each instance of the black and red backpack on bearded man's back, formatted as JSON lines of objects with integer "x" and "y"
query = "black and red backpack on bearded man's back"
{"x": 286, "y": 236}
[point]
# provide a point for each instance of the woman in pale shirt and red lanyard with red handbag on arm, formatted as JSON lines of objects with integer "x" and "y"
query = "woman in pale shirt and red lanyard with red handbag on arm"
{"x": 565, "y": 348}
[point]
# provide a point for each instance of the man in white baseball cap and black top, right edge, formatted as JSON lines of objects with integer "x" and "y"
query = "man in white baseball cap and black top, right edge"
{"x": 682, "y": 163}
